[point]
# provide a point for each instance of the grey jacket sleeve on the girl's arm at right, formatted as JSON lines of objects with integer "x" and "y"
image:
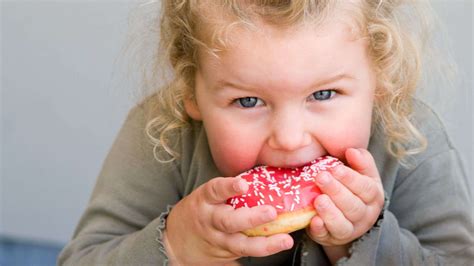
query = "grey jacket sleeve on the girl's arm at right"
{"x": 428, "y": 218}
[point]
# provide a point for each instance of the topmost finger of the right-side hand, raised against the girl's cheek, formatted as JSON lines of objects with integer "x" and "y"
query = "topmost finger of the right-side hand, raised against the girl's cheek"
{"x": 362, "y": 161}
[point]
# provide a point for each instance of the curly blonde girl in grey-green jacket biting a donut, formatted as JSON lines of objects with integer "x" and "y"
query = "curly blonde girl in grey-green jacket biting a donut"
{"x": 281, "y": 83}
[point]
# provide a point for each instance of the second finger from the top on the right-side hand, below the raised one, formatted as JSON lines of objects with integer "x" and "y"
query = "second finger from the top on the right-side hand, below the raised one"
{"x": 364, "y": 187}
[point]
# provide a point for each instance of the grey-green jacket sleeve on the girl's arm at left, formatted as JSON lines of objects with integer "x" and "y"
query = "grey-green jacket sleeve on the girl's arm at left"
{"x": 123, "y": 221}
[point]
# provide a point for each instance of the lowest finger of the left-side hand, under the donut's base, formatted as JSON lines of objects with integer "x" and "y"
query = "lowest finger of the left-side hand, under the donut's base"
{"x": 260, "y": 246}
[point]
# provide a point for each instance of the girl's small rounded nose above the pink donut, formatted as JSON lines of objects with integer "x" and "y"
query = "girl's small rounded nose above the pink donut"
{"x": 289, "y": 132}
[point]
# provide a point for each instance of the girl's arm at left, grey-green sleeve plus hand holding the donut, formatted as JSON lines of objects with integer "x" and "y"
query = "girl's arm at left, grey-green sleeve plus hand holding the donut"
{"x": 124, "y": 223}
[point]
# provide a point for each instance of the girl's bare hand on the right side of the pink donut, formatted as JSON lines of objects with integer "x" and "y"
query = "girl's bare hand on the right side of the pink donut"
{"x": 352, "y": 201}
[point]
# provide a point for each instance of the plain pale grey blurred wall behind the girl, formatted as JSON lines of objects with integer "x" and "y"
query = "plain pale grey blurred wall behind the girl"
{"x": 61, "y": 106}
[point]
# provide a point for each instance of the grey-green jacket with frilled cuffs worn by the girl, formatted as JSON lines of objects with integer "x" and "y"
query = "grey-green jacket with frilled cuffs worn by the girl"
{"x": 426, "y": 220}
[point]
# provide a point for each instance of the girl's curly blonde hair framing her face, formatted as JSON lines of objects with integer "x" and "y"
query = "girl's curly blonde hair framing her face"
{"x": 397, "y": 30}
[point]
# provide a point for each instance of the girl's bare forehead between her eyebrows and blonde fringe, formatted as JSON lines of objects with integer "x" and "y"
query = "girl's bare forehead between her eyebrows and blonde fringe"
{"x": 279, "y": 60}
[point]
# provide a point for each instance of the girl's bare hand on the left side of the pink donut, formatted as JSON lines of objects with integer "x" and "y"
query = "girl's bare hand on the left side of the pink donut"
{"x": 201, "y": 228}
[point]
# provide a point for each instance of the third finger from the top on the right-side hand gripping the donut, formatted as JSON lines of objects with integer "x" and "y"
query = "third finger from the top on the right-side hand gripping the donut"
{"x": 351, "y": 205}
